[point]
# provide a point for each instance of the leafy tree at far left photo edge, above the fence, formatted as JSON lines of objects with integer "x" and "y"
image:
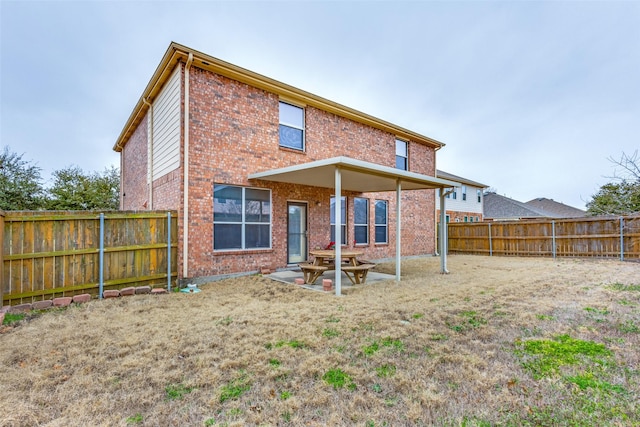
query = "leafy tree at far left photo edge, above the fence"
{"x": 20, "y": 183}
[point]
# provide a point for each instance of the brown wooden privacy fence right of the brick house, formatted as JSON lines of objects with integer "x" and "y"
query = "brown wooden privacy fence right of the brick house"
{"x": 610, "y": 237}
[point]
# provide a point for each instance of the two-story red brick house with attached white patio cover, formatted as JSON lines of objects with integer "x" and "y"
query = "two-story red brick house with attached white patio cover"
{"x": 255, "y": 167}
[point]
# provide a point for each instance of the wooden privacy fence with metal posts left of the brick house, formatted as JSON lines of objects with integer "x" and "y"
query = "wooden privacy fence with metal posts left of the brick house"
{"x": 50, "y": 254}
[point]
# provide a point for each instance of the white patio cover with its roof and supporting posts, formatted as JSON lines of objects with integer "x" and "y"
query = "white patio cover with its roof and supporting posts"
{"x": 347, "y": 174}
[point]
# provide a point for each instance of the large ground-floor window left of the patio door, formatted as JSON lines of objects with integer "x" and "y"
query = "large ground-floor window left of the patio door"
{"x": 241, "y": 218}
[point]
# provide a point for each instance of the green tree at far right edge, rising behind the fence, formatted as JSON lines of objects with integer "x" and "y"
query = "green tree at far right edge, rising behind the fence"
{"x": 622, "y": 196}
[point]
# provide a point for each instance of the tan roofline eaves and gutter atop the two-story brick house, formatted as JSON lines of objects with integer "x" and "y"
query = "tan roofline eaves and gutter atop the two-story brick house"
{"x": 178, "y": 53}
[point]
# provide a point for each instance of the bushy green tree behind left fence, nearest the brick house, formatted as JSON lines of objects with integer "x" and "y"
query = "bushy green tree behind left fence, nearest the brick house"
{"x": 73, "y": 189}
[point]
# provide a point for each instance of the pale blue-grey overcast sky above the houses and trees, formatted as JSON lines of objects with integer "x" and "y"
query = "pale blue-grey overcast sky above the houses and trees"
{"x": 530, "y": 98}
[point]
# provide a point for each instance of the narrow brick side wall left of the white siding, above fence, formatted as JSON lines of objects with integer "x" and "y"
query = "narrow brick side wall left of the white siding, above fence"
{"x": 134, "y": 190}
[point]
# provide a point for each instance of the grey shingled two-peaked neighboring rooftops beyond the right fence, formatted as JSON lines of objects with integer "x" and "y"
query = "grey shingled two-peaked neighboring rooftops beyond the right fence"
{"x": 501, "y": 208}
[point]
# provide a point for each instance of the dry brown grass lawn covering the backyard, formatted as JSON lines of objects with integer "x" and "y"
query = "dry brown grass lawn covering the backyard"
{"x": 446, "y": 343}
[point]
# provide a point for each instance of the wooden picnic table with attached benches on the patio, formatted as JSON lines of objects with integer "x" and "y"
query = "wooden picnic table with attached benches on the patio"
{"x": 324, "y": 260}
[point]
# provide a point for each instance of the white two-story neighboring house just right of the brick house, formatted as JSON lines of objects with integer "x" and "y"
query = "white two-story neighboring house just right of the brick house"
{"x": 464, "y": 203}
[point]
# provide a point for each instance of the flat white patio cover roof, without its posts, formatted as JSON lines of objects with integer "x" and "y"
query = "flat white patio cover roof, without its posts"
{"x": 356, "y": 175}
